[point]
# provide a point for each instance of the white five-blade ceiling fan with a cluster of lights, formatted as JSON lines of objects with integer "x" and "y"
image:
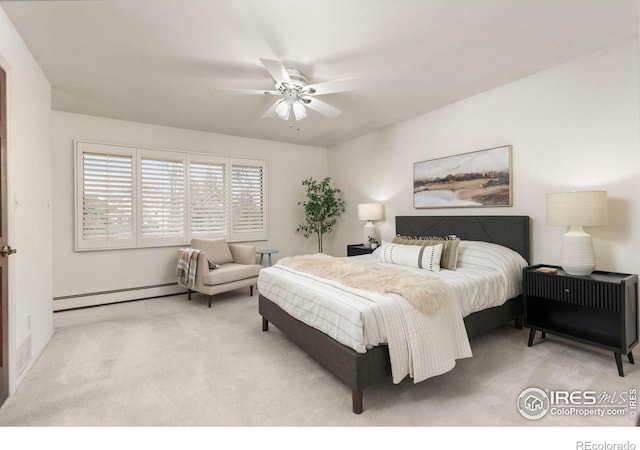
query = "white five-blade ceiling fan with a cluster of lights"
{"x": 296, "y": 92}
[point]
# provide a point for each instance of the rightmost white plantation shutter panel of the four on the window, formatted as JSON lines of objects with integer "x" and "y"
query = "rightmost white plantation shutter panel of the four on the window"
{"x": 248, "y": 200}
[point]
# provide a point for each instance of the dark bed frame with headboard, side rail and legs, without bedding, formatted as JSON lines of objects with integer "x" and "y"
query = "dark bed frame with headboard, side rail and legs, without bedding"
{"x": 360, "y": 370}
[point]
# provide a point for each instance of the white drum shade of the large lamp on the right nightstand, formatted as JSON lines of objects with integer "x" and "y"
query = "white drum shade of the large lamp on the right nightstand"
{"x": 585, "y": 209}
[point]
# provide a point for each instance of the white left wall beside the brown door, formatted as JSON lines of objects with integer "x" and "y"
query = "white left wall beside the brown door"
{"x": 29, "y": 178}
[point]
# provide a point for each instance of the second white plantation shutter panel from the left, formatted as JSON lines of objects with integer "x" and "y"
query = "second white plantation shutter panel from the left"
{"x": 162, "y": 198}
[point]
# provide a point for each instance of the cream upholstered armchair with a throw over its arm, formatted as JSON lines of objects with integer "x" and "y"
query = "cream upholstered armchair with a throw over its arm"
{"x": 223, "y": 267}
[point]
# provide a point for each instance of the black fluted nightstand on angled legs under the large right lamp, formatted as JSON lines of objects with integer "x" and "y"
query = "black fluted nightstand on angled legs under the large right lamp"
{"x": 600, "y": 309}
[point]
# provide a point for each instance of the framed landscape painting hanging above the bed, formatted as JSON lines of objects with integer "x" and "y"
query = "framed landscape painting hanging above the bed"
{"x": 481, "y": 178}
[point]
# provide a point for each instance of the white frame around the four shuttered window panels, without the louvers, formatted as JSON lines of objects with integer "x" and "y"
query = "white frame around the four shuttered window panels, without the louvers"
{"x": 137, "y": 154}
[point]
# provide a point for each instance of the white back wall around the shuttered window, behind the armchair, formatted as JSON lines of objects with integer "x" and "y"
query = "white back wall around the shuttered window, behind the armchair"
{"x": 77, "y": 273}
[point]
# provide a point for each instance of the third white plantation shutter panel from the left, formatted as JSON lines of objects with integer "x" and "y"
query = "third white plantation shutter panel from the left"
{"x": 208, "y": 194}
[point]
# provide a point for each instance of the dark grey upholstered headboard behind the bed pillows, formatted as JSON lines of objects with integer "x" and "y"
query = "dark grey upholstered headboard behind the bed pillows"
{"x": 510, "y": 231}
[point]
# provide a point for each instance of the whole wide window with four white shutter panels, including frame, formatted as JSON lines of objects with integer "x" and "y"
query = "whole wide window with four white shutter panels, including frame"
{"x": 133, "y": 197}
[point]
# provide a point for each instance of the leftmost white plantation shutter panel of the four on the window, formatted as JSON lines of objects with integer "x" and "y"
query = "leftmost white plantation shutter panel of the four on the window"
{"x": 105, "y": 197}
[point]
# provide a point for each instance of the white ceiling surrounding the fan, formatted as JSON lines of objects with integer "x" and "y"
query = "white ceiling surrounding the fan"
{"x": 159, "y": 61}
